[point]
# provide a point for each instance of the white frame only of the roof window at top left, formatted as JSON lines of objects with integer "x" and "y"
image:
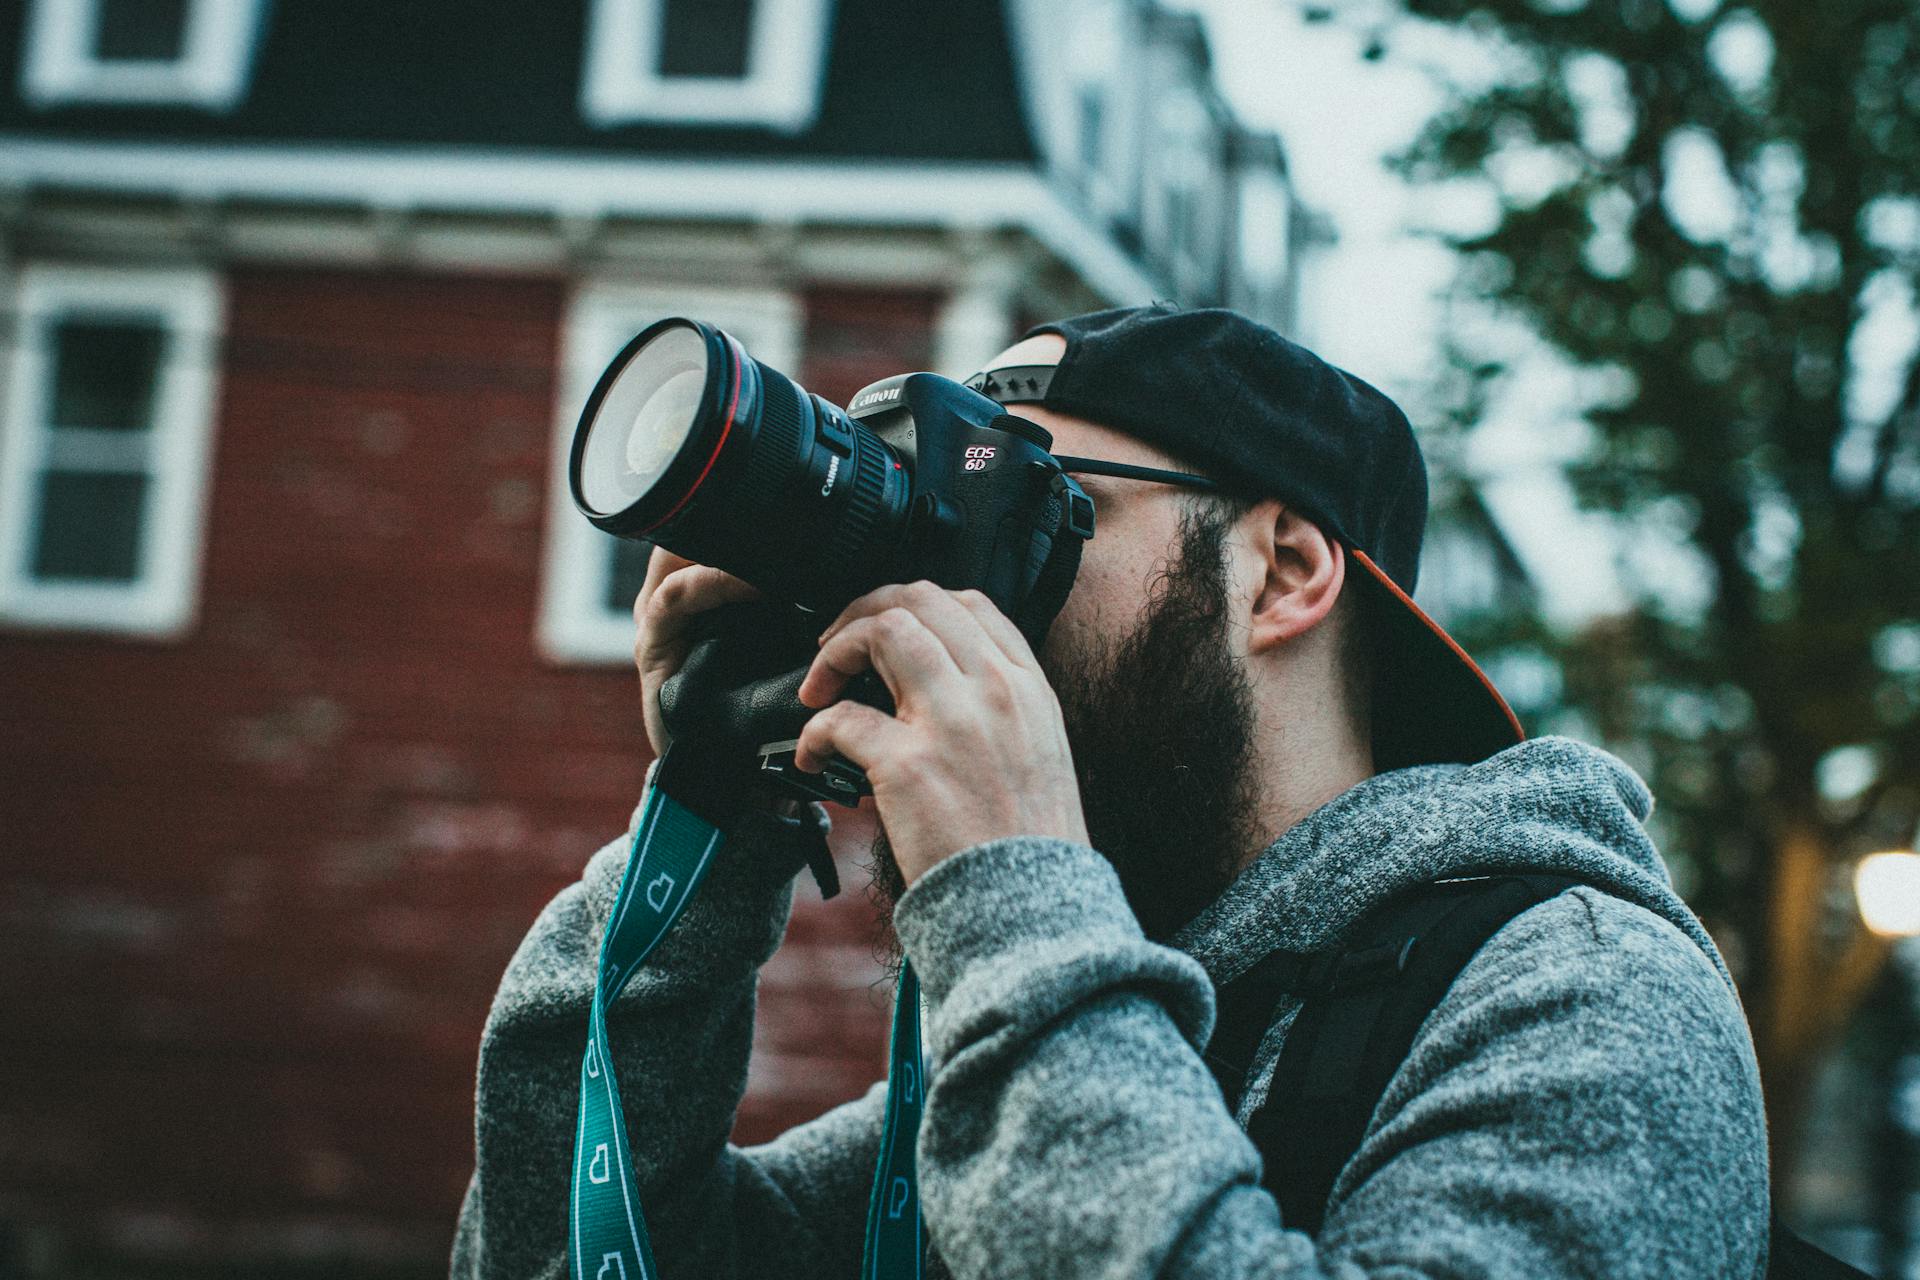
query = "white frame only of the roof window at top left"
{"x": 212, "y": 72}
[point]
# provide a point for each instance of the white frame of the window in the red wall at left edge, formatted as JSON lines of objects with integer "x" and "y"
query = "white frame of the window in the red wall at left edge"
{"x": 162, "y": 598}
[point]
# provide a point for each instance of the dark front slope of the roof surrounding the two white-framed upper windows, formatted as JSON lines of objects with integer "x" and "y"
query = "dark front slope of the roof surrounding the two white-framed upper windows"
{"x": 936, "y": 82}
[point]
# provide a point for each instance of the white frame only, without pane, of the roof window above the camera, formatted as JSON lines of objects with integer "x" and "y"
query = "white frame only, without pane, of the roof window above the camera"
{"x": 786, "y": 60}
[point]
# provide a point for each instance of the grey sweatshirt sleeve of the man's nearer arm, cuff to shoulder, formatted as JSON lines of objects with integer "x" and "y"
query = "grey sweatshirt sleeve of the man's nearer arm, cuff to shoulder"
{"x": 1583, "y": 1104}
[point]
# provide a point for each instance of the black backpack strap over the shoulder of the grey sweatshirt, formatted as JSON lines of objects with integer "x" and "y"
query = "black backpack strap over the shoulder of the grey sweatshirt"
{"x": 1364, "y": 1007}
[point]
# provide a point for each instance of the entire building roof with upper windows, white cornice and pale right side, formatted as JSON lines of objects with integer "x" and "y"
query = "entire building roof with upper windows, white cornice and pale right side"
{"x": 972, "y": 114}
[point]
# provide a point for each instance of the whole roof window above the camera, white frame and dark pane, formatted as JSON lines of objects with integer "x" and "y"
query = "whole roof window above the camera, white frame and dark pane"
{"x": 706, "y": 62}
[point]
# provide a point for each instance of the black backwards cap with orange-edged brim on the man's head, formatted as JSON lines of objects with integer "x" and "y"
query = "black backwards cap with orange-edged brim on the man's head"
{"x": 1270, "y": 419}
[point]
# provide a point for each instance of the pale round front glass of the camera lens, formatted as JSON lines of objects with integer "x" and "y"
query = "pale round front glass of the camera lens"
{"x": 644, "y": 421}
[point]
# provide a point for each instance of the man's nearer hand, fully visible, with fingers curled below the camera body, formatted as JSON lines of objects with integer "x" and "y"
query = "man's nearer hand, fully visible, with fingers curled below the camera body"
{"x": 976, "y": 747}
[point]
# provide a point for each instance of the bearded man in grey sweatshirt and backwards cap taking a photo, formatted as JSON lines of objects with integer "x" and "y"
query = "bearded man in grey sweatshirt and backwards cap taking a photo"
{"x": 1239, "y": 738}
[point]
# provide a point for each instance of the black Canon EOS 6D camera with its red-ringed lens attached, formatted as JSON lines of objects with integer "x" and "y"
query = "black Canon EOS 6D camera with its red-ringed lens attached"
{"x": 692, "y": 444}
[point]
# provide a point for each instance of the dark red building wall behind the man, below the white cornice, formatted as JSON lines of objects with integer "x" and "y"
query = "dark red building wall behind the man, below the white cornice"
{"x": 260, "y": 886}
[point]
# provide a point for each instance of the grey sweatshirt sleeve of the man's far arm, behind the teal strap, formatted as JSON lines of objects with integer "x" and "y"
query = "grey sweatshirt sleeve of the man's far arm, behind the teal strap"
{"x": 681, "y": 1037}
